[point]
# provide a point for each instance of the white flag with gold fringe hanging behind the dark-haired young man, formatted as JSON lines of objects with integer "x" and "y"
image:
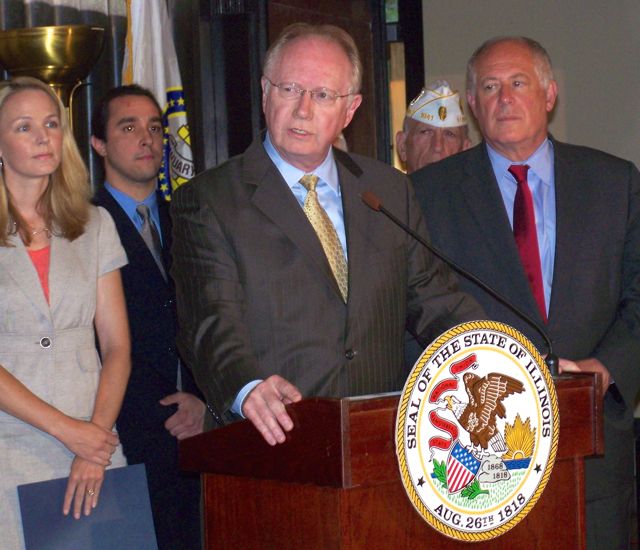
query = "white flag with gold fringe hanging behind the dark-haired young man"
{"x": 150, "y": 60}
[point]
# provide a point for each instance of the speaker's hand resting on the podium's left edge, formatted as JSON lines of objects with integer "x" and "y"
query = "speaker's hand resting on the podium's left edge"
{"x": 264, "y": 407}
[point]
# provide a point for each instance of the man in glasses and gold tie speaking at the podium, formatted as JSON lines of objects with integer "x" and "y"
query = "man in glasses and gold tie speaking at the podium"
{"x": 289, "y": 285}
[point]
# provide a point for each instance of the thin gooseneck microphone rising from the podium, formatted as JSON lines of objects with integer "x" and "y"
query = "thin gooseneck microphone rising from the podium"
{"x": 373, "y": 202}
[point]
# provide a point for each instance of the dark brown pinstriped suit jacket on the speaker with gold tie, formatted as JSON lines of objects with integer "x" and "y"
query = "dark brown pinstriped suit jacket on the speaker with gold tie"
{"x": 256, "y": 295}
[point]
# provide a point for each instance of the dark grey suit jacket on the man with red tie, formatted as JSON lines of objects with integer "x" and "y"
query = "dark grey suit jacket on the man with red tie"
{"x": 595, "y": 299}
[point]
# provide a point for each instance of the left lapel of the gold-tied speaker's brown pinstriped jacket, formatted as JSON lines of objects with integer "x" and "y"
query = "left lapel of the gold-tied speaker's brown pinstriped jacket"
{"x": 275, "y": 200}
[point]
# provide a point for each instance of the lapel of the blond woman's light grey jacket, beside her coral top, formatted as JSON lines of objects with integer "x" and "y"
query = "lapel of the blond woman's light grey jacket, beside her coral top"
{"x": 16, "y": 262}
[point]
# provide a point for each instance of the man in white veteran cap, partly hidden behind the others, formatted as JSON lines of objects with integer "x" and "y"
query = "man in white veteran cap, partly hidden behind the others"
{"x": 434, "y": 128}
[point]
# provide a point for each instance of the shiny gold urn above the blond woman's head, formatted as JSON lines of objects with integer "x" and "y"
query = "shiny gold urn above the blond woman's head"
{"x": 61, "y": 56}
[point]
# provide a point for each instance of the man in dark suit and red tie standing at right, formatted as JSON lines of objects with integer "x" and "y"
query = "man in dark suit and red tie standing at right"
{"x": 583, "y": 281}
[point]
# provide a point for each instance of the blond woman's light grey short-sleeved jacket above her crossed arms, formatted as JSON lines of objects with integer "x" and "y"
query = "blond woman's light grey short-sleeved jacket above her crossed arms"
{"x": 51, "y": 348}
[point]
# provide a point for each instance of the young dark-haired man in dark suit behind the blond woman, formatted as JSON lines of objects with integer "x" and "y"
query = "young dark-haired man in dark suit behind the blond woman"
{"x": 127, "y": 134}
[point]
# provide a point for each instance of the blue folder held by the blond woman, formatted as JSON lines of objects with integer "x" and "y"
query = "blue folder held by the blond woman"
{"x": 121, "y": 520}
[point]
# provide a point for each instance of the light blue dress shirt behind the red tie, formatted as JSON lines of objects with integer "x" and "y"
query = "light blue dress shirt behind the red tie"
{"x": 541, "y": 181}
